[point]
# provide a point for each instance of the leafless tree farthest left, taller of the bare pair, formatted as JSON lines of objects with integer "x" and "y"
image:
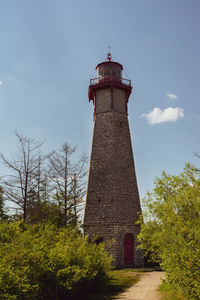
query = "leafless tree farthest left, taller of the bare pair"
{"x": 23, "y": 186}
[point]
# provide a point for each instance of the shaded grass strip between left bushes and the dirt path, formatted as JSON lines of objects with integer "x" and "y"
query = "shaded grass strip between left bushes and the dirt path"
{"x": 118, "y": 282}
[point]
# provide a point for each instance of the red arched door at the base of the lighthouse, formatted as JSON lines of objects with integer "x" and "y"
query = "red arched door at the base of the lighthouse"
{"x": 128, "y": 249}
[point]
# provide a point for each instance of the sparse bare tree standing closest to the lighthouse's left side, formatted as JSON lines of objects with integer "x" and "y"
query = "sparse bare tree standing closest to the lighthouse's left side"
{"x": 67, "y": 182}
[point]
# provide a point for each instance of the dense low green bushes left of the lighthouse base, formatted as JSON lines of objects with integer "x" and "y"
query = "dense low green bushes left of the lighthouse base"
{"x": 43, "y": 262}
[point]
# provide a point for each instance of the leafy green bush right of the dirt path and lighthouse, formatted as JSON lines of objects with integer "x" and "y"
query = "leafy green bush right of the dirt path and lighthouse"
{"x": 172, "y": 230}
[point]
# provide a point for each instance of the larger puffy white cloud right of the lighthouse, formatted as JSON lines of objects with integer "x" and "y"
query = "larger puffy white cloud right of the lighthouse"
{"x": 157, "y": 115}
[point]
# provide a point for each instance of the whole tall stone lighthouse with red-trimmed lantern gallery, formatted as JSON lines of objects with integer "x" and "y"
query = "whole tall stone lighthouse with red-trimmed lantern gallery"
{"x": 112, "y": 203}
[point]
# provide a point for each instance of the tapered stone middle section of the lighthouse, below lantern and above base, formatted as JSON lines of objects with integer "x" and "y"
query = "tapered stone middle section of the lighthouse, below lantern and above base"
{"x": 112, "y": 194}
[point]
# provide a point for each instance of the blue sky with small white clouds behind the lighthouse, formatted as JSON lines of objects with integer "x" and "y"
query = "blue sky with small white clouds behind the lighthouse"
{"x": 49, "y": 51}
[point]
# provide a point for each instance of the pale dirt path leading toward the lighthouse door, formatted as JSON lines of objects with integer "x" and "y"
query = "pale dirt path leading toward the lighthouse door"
{"x": 145, "y": 289}
